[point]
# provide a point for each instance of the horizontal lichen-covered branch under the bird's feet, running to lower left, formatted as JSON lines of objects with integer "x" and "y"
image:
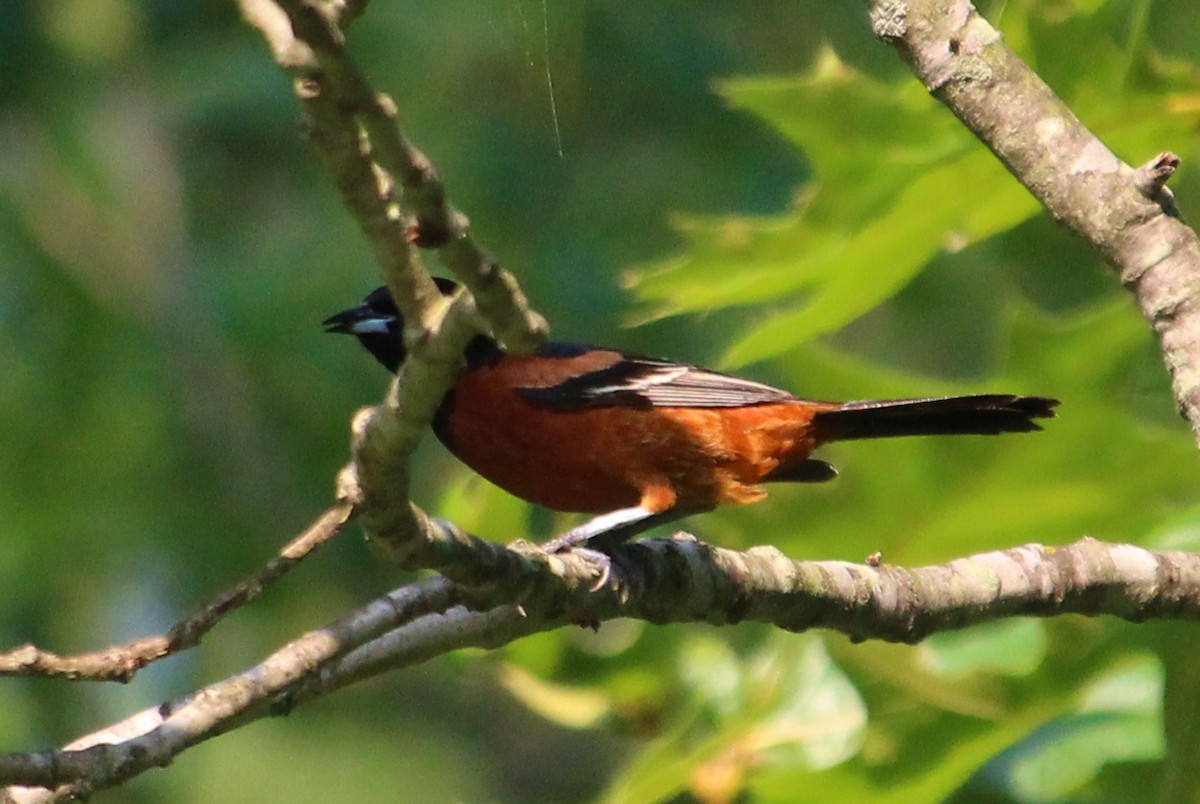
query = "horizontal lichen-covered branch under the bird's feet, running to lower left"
{"x": 663, "y": 581}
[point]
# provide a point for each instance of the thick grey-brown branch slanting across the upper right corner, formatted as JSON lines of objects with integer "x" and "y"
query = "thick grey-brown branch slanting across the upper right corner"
{"x": 1131, "y": 221}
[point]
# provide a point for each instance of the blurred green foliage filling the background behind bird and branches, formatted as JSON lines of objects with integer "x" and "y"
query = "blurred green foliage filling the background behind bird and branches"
{"x": 752, "y": 183}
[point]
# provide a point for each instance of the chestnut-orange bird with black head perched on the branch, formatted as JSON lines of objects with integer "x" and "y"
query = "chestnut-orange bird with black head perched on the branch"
{"x": 644, "y": 442}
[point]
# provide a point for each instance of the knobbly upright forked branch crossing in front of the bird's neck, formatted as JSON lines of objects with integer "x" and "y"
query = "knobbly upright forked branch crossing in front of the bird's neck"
{"x": 355, "y": 130}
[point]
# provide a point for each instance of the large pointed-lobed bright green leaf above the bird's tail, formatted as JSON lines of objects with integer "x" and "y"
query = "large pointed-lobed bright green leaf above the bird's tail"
{"x": 897, "y": 179}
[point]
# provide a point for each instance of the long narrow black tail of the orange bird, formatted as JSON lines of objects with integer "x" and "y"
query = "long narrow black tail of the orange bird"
{"x": 953, "y": 416}
